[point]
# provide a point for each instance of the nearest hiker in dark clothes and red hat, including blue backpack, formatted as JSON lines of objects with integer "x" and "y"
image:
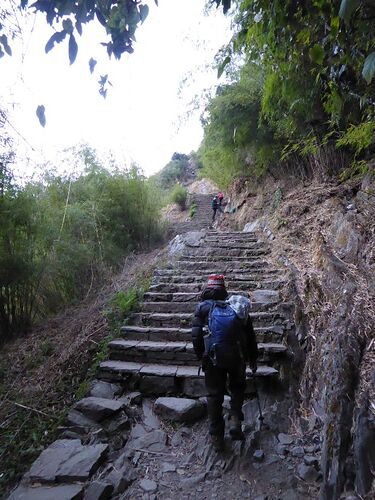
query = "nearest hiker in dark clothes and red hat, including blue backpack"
{"x": 224, "y": 349}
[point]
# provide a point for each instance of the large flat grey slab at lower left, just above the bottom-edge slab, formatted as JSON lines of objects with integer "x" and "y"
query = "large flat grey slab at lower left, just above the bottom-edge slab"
{"x": 67, "y": 460}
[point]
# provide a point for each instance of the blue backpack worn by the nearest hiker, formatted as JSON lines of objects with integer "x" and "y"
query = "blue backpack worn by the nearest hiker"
{"x": 223, "y": 342}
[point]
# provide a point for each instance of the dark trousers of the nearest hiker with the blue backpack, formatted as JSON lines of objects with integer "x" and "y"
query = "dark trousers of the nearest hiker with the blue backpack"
{"x": 216, "y": 383}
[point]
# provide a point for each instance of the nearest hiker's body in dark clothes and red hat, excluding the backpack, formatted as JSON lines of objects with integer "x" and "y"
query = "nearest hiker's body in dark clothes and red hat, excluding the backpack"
{"x": 215, "y": 376}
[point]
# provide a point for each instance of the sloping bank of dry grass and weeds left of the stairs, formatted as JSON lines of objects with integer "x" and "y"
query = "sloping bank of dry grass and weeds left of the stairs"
{"x": 43, "y": 373}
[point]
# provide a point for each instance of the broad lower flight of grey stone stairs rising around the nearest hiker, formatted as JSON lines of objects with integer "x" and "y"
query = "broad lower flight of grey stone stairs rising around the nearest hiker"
{"x": 155, "y": 353}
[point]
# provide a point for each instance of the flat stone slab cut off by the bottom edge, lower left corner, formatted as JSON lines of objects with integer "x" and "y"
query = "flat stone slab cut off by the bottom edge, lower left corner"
{"x": 61, "y": 492}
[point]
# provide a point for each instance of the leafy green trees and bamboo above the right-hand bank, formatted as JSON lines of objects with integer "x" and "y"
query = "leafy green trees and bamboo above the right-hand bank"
{"x": 306, "y": 88}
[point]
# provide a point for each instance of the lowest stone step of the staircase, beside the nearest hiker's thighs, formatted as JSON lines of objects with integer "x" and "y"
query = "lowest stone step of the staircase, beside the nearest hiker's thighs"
{"x": 169, "y": 379}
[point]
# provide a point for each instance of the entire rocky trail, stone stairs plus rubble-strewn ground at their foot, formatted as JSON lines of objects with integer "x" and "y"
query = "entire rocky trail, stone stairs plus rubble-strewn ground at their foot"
{"x": 140, "y": 433}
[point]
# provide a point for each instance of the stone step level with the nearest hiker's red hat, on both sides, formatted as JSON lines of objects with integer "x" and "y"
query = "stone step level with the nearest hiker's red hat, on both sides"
{"x": 165, "y": 285}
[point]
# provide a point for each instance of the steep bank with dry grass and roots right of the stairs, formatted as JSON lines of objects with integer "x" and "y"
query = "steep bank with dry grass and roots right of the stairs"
{"x": 324, "y": 234}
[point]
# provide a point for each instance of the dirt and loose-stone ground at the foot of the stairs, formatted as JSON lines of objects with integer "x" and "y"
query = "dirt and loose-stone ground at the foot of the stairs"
{"x": 188, "y": 467}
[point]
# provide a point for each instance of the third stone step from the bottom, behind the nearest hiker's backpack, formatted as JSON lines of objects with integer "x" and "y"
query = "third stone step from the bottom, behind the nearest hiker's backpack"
{"x": 265, "y": 334}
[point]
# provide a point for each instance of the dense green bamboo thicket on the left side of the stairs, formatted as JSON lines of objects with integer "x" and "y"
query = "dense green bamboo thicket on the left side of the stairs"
{"x": 60, "y": 237}
